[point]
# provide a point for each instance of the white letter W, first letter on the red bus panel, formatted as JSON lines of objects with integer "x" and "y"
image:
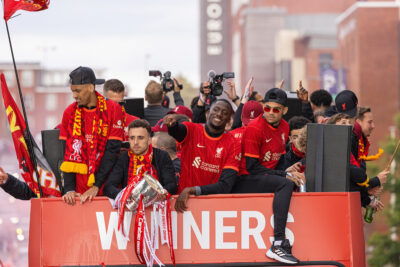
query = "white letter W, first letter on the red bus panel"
{"x": 106, "y": 236}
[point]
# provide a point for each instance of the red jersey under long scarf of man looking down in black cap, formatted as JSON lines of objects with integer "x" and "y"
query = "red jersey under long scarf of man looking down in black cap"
{"x": 116, "y": 132}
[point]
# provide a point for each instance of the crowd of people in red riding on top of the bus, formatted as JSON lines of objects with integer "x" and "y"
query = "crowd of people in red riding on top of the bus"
{"x": 240, "y": 144}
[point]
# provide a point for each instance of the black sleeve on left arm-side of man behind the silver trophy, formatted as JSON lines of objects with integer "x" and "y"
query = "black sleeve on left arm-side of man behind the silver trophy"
{"x": 114, "y": 182}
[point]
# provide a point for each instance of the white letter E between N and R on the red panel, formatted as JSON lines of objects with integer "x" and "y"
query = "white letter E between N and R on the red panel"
{"x": 220, "y": 229}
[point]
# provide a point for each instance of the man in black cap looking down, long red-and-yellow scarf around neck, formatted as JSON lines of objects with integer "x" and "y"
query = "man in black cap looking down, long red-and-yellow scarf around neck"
{"x": 92, "y": 128}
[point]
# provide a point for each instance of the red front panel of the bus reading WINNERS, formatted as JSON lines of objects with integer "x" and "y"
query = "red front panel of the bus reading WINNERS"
{"x": 215, "y": 229}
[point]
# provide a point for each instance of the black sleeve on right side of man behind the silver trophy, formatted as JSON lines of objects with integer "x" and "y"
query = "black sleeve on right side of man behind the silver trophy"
{"x": 167, "y": 176}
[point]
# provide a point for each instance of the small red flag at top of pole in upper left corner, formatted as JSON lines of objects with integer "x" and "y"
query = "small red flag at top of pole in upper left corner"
{"x": 10, "y": 6}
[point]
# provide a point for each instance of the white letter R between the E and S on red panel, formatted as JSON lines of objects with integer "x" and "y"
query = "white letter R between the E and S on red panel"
{"x": 255, "y": 232}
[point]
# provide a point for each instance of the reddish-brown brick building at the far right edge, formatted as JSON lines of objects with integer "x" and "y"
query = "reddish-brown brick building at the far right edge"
{"x": 368, "y": 36}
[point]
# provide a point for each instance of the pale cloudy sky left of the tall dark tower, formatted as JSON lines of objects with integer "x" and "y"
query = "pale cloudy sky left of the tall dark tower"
{"x": 125, "y": 38}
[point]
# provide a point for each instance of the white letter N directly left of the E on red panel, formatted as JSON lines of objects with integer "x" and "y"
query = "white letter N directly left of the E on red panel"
{"x": 203, "y": 237}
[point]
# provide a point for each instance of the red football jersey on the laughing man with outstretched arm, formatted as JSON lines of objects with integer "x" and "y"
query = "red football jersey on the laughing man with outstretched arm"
{"x": 204, "y": 157}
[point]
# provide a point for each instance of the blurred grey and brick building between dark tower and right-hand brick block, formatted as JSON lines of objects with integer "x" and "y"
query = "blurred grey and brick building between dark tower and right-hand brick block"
{"x": 291, "y": 40}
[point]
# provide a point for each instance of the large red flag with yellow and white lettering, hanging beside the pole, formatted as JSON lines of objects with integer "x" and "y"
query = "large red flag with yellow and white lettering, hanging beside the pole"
{"x": 18, "y": 129}
